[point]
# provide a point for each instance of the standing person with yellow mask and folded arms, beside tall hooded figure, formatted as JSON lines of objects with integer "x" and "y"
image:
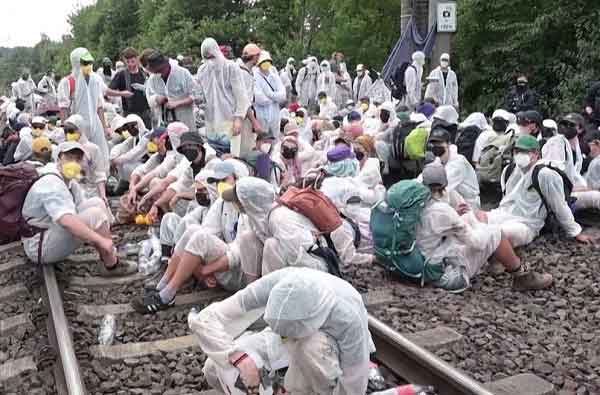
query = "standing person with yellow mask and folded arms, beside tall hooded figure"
{"x": 269, "y": 94}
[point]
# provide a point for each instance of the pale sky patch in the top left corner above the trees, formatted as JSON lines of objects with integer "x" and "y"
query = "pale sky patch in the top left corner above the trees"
{"x": 23, "y": 21}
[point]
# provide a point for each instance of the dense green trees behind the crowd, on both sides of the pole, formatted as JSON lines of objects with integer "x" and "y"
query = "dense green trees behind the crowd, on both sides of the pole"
{"x": 554, "y": 41}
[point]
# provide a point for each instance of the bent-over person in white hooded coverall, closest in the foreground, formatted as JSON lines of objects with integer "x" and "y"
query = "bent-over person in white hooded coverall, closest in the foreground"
{"x": 322, "y": 319}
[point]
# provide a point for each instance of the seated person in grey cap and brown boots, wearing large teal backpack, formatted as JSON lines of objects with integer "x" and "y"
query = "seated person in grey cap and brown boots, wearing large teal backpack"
{"x": 464, "y": 248}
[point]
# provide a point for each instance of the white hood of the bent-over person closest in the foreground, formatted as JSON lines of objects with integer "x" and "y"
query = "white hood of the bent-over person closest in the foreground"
{"x": 297, "y": 307}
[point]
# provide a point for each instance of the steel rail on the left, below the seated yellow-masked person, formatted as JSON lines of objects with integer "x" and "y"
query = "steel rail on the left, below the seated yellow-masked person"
{"x": 69, "y": 364}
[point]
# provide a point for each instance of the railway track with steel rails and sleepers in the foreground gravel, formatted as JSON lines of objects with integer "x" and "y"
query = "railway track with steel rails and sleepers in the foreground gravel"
{"x": 149, "y": 361}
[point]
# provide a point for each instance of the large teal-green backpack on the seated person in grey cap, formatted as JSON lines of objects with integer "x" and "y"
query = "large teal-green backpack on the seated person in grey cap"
{"x": 394, "y": 226}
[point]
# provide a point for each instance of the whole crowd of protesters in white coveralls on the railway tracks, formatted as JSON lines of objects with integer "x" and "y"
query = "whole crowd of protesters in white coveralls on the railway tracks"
{"x": 270, "y": 184}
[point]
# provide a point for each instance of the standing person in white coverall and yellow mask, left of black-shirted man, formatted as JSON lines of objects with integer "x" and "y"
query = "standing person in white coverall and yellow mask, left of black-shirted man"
{"x": 88, "y": 102}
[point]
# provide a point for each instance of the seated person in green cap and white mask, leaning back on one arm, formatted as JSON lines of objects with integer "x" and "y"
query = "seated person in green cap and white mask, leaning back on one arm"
{"x": 522, "y": 212}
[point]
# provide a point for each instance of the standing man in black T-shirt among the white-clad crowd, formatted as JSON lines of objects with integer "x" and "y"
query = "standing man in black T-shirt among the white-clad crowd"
{"x": 129, "y": 84}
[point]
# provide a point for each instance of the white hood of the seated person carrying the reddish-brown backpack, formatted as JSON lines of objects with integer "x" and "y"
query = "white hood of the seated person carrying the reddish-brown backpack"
{"x": 256, "y": 197}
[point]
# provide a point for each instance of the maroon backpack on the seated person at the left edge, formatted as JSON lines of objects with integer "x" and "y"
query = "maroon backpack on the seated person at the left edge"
{"x": 15, "y": 182}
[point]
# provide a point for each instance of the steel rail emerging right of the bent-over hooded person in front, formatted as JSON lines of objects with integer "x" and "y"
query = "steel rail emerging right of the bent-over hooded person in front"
{"x": 417, "y": 365}
